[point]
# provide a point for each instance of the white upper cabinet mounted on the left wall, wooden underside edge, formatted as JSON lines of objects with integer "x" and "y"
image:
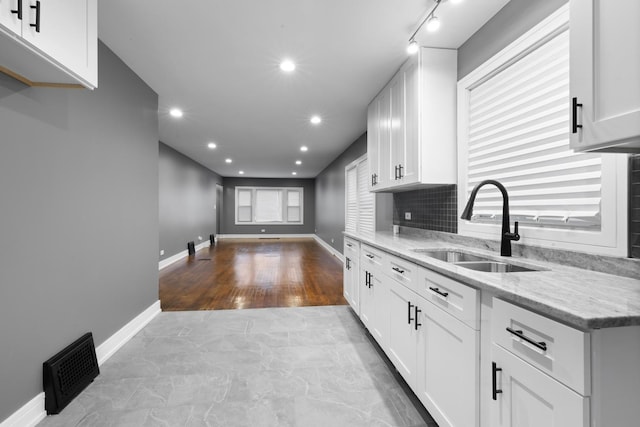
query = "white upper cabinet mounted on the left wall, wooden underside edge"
{"x": 50, "y": 42}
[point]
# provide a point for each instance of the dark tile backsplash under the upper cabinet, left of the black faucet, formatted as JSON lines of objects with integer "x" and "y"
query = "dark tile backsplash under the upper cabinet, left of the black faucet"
{"x": 431, "y": 208}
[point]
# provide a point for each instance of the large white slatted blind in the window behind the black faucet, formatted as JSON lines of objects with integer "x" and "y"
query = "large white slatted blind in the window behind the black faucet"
{"x": 518, "y": 134}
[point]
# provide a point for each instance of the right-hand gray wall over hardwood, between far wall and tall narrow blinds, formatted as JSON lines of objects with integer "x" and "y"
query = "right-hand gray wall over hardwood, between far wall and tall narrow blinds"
{"x": 330, "y": 195}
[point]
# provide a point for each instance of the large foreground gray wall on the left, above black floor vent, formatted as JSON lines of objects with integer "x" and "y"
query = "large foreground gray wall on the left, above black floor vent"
{"x": 79, "y": 218}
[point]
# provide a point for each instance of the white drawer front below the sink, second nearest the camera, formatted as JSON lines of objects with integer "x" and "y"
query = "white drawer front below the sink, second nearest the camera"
{"x": 457, "y": 299}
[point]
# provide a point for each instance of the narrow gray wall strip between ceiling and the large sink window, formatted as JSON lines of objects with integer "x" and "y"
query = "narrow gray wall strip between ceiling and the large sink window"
{"x": 513, "y": 20}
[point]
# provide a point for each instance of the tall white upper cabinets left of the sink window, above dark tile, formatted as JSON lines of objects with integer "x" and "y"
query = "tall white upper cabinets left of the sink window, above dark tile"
{"x": 411, "y": 124}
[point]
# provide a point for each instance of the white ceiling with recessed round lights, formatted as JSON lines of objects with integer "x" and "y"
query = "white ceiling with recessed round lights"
{"x": 218, "y": 61}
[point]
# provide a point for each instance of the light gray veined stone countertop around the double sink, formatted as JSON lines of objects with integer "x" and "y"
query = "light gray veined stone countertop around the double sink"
{"x": 582, "y": 298}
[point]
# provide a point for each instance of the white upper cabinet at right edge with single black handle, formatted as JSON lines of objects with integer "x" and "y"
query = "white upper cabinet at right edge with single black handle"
{"x": 605, "y": 70}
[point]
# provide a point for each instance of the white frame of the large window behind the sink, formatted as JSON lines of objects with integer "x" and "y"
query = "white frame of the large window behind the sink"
{"x": 610, "y": 239}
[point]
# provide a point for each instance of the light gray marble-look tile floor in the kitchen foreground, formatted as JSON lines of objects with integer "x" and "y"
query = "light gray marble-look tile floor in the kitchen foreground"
{"x": 306, "y": 366}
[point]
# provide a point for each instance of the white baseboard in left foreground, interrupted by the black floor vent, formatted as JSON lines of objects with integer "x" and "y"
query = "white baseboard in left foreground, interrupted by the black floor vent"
{"x": 33, "y": 411}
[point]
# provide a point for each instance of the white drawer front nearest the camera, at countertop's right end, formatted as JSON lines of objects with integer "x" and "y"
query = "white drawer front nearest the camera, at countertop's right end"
{"x": 557, "y": 349}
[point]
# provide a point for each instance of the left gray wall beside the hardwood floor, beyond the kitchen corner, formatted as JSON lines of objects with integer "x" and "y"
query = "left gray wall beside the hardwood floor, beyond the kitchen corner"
{"x": 187, "y": 201}
